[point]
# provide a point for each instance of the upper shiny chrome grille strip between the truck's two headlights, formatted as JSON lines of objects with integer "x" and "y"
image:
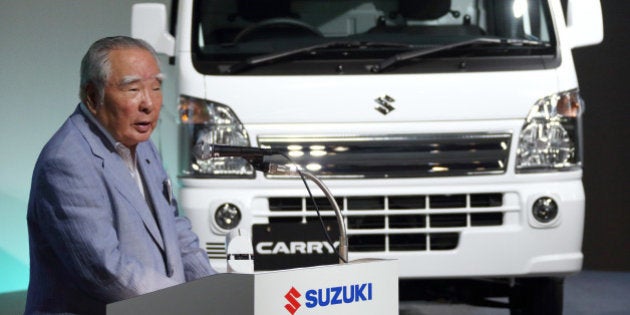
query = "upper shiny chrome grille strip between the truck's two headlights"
{"x": 394, "y": 156}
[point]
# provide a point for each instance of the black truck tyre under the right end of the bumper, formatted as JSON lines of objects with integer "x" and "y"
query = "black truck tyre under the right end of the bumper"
{"x": 537, "y": 296}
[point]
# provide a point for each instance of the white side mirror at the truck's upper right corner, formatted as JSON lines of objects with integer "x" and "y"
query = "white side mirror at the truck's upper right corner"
{"x": 584, "y": 23}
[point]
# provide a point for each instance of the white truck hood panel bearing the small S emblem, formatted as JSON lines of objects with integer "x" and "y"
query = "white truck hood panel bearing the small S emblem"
{"x": 353, "y": 98}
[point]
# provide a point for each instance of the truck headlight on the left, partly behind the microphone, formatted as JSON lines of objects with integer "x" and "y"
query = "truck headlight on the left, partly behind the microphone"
{"x": 212, "y": 123}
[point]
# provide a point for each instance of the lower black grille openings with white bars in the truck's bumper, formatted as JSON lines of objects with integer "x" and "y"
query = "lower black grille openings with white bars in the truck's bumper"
{"x": 398, "y": 223}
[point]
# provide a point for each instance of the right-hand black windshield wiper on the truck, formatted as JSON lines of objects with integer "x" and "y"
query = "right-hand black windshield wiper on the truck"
{"x": 401, "y": 57}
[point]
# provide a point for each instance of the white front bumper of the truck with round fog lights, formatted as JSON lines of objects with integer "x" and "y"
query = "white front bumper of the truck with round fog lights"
{"x": 511, "y": 244}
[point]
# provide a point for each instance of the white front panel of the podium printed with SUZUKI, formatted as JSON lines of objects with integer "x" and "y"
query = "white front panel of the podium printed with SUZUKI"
{"x": 360, "y": 287}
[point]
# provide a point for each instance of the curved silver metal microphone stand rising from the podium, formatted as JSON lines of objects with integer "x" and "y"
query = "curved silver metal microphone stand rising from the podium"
{"x": 275, "y": 169}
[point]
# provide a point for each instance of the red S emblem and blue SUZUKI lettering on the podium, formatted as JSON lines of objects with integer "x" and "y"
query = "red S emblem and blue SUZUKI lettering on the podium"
{"x": 323, "y": 297}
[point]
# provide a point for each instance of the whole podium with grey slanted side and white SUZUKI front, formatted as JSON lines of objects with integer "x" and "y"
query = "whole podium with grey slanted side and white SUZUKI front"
{"x": 360, "y": 287}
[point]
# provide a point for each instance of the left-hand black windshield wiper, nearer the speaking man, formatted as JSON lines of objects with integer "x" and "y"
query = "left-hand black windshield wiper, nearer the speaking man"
{"x": 276, "y": 56}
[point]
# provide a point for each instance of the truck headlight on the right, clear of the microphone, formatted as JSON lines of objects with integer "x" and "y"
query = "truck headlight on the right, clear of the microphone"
{"x": 551, "y": 137}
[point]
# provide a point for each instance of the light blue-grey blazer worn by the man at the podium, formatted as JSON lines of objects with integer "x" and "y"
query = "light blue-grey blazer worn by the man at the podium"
{"x": 93, "y": 238}
